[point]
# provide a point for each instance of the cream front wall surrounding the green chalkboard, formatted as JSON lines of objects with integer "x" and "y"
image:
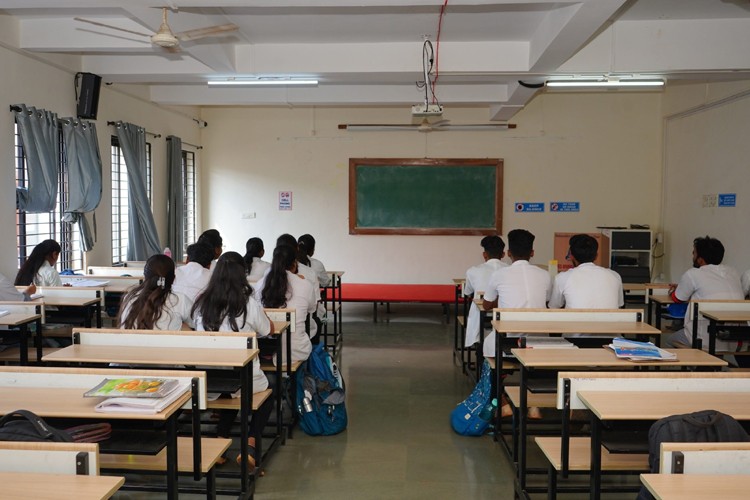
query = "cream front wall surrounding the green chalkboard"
{"x": 603, "y": 150}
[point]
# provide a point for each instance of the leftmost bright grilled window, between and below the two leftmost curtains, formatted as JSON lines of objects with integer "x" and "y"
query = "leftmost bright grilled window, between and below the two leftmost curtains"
{"x": 32, "y": 229}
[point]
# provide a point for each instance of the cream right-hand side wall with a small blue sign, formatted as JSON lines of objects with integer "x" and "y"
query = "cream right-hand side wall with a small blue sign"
{"x": 706, "y": 152}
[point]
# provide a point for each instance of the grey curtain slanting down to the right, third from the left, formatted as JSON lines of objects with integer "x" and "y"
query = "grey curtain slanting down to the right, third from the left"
{"x": 143, "y": 240}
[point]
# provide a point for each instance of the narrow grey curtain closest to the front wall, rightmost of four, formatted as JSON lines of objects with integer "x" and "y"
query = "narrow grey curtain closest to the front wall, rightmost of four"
{"x": 176, "y": 197}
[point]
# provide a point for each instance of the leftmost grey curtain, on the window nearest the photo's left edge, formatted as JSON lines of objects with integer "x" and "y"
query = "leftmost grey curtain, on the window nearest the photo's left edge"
{"x": 38, "y": 131}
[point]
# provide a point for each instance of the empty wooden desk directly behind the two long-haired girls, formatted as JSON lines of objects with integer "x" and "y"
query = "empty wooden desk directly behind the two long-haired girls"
{"x": 239, "y": 359}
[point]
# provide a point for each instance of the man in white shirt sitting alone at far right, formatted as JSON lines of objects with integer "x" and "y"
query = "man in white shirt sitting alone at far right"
{"x": 709, "y": 279}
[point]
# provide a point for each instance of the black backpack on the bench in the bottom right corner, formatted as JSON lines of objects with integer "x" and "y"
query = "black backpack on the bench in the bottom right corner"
{"x": 707, "y": 426}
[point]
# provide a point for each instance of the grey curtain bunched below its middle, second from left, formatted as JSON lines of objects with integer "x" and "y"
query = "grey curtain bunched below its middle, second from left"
{"x": 84, "y": 175}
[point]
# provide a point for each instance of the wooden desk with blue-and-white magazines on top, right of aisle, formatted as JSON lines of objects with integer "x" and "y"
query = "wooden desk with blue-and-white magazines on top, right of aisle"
{"x": 583, "y": 359}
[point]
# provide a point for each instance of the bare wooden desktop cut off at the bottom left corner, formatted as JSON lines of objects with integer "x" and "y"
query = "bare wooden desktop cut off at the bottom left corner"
{"x": 58, "y": 486}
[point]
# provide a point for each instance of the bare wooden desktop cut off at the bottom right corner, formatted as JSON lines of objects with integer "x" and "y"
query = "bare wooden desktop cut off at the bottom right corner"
{"x": 696, "y": 486}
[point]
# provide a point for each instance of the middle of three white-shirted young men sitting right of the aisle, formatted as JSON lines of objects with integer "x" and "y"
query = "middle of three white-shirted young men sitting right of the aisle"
{"x": 519, "y": 285}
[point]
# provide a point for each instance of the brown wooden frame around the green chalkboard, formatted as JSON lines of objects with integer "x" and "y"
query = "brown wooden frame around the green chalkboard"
{"x": 496, "y": 228}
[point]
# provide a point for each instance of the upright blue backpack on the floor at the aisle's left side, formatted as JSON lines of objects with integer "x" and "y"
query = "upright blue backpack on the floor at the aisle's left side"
{"x": 320, "y": 395}
